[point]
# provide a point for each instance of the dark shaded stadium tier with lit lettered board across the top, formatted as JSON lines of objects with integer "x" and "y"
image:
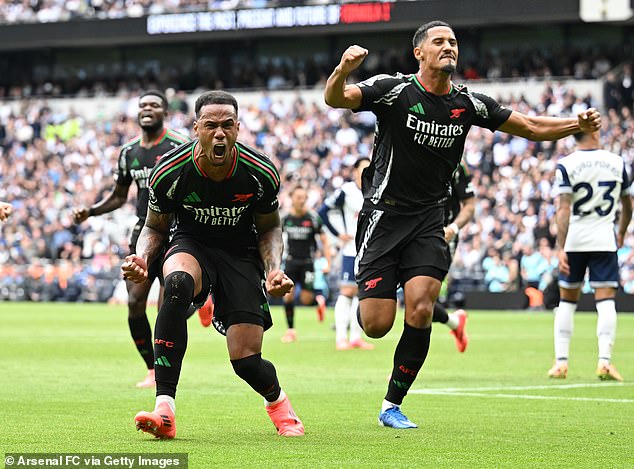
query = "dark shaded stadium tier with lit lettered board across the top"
{"x": 284, "y": 45}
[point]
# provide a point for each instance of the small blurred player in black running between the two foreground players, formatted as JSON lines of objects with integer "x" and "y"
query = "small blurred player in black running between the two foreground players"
{"x": 301, "y": 226}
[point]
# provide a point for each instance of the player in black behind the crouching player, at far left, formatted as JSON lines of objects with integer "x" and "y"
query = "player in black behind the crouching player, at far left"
{"x": 136, "y": 160}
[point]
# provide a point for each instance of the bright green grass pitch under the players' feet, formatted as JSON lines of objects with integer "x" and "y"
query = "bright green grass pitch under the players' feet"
{"x": 67, "y": 374}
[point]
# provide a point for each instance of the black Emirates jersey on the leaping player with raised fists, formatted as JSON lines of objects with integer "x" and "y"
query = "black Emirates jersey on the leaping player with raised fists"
{"x": 419, "y": 139}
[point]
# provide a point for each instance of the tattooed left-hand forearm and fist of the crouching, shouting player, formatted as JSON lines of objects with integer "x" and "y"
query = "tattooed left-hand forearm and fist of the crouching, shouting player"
{"x": 149, "y": 245}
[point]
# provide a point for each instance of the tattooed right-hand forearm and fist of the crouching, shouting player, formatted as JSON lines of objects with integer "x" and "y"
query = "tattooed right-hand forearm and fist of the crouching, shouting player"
{"x": 271, "y": 246}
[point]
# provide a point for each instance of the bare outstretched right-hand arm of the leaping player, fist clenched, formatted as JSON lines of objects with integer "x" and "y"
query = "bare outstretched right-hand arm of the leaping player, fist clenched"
{"x": 538, "y": 128}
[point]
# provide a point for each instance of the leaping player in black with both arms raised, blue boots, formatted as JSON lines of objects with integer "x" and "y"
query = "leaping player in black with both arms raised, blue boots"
{"x": 422, "y": 124}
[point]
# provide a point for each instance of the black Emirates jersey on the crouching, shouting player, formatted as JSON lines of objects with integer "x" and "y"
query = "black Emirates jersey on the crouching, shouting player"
{"x": 217, "y": 214}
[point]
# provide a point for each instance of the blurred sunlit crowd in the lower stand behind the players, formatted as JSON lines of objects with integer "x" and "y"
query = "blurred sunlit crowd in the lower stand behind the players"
{"x": 51, "y": 162}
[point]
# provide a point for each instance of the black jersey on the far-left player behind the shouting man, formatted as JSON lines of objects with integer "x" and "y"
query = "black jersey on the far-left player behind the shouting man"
{"x": 136, "y": 163}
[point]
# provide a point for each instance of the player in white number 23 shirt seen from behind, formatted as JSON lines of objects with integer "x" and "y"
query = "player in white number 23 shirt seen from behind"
{"x": 589, "y": 181}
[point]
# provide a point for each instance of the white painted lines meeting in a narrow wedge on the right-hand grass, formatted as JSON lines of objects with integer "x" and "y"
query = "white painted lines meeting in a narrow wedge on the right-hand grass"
{"x": 478, "y": 392}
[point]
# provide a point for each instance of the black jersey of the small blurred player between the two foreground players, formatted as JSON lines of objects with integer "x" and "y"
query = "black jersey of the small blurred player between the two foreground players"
{"x": 300, "y": 235}
